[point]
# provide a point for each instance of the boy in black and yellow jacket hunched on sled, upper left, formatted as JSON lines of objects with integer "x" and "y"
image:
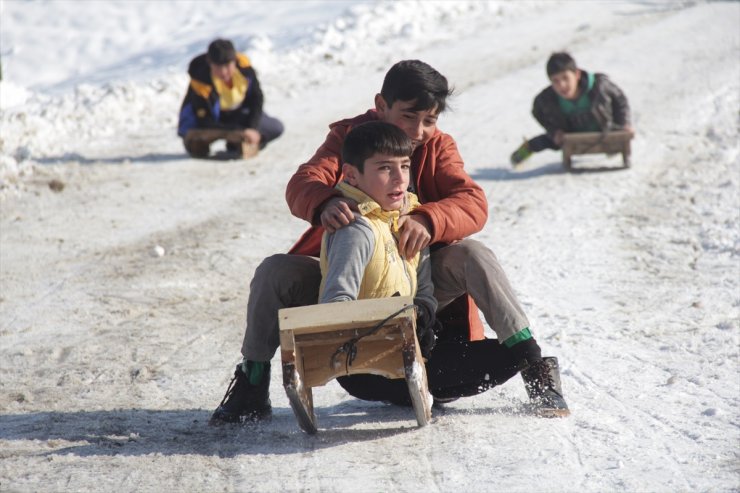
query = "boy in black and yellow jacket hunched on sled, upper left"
{"x": 224, "y": 101}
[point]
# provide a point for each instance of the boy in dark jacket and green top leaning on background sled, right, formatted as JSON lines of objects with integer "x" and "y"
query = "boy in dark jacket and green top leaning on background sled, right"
{"x": 575, "y": 101}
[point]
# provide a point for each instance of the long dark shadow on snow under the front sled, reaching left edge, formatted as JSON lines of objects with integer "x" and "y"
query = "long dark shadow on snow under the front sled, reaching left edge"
{"x": 136, "y": 432}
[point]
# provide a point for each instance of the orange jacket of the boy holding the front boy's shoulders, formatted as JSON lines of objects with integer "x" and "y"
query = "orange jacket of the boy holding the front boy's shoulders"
{"x": 454, "y": 204}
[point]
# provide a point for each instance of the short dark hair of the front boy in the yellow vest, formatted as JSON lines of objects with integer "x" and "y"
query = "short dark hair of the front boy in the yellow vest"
{"x": 376, "y": 137}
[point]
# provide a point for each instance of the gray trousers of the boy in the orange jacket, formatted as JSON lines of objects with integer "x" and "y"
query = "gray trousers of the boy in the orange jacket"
{"x": 283, "y": 281}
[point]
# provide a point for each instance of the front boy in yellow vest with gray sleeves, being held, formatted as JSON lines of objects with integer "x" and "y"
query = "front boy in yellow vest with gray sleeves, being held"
{"x": 362, "y": 259}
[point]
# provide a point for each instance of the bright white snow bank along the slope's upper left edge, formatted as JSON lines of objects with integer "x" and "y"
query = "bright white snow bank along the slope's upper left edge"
{"x": 127, "y": 78}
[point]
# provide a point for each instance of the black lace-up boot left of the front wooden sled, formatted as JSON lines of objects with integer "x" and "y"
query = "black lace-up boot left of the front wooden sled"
{"x": 244, "y": 401}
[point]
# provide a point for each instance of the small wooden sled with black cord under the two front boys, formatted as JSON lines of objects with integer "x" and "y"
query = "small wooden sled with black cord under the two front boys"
{"x": 317, "y": 346}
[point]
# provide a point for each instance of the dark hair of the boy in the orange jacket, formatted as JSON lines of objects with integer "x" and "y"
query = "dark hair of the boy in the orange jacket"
{"x": 414, "y": 80}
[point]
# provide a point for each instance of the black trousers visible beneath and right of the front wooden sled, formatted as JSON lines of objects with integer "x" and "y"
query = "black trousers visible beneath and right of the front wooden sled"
{"x": 455, "y": 369}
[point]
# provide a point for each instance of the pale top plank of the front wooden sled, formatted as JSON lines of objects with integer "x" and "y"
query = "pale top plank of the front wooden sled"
{"x": 348, "y": 314}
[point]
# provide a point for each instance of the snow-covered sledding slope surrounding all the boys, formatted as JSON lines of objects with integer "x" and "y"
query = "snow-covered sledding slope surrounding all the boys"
{"x": 123, "y": 292}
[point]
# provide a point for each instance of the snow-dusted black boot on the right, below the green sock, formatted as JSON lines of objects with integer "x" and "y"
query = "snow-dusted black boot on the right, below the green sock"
{"x": 542, "y": 381}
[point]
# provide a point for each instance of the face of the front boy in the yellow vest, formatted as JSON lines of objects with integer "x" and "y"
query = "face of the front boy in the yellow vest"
{"x": 385, "y": 179}
